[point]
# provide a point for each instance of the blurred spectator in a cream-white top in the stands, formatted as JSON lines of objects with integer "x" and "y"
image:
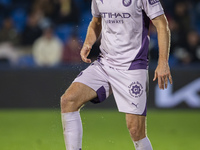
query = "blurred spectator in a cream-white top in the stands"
{"x": 47, "y": 50}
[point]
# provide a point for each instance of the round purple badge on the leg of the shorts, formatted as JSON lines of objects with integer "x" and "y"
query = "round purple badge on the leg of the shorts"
{"x": 136, "y": 89}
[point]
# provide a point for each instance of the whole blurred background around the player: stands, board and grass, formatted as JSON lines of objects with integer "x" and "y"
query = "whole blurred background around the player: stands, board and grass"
{"x": 40, "y": 42}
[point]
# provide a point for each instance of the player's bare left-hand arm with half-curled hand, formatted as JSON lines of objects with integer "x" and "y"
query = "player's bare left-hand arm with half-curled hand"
{"x": 93, "y": 32}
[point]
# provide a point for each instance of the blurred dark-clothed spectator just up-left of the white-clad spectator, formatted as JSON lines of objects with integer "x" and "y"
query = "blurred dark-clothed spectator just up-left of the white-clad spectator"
{"x": 32, "y": 30}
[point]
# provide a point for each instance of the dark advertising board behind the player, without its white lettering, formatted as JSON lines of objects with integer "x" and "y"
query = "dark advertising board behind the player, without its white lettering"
{"x": 42, "y": 88}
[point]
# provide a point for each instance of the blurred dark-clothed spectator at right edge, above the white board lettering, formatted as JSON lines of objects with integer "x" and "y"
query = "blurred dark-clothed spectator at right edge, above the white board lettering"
{"x": 190, "y": 53}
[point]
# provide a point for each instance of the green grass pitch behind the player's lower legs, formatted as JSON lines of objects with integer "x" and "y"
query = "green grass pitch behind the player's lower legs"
{"x": 103, "y": 130}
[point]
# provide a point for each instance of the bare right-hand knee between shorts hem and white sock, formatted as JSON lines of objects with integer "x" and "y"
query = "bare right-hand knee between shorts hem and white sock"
{"x": 136, "y": 125}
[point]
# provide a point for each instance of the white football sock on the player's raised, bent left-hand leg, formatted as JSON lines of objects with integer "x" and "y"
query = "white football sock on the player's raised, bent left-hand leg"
{"x": 73, "y": 131}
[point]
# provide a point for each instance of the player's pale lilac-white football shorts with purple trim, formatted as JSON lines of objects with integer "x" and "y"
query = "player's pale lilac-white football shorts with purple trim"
{"x": 129, "y": 87}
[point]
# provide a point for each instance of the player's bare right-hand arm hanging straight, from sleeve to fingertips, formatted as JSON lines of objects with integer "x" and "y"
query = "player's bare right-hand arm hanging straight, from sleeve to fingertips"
{"x": 162, "y": 72}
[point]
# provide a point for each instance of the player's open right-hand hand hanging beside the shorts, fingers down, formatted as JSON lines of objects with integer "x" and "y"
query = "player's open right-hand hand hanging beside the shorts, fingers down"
{"x": 162, "y": 73}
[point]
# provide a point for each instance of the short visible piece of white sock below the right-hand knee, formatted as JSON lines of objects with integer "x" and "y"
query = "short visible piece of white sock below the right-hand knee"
{"x": 143, "y": 144}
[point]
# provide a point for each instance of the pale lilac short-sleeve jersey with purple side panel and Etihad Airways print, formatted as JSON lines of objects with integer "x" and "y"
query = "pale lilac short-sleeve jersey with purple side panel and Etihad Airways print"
{"x": 125, "y": 27}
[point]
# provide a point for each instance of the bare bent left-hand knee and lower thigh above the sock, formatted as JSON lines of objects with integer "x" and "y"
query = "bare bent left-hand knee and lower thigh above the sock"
{"x": 77, "y": 94}
